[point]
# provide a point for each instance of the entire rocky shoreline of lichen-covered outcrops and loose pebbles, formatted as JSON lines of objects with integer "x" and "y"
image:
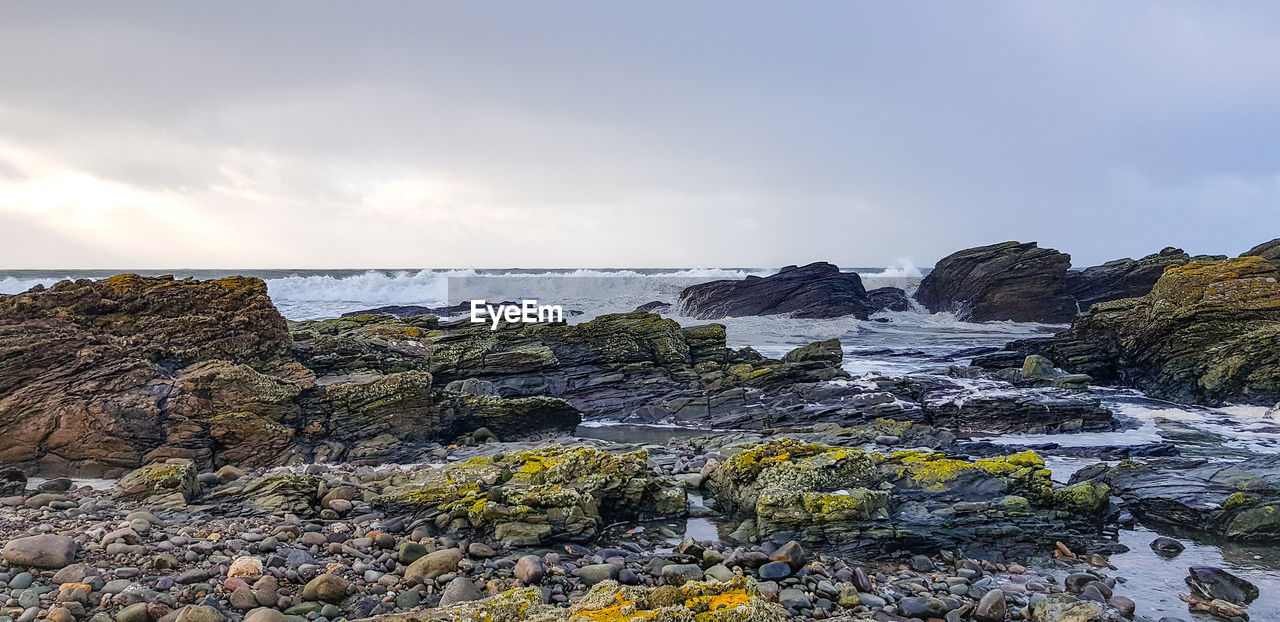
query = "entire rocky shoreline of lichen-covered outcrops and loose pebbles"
{"x": 401, "y": 466}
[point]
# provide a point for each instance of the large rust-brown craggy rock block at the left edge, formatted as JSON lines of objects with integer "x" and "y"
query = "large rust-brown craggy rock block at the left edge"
{"x": 117, "y": 354}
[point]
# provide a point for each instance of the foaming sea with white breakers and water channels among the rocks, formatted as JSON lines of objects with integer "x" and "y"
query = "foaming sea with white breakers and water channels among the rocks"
{"x": 892, "y": 342}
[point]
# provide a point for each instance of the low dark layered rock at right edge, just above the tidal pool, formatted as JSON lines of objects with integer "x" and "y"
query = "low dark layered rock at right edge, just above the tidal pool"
{"x": 1235, "y": 501}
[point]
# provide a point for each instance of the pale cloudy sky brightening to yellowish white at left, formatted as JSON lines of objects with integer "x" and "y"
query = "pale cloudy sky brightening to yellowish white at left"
{"x": 609, "y": 135}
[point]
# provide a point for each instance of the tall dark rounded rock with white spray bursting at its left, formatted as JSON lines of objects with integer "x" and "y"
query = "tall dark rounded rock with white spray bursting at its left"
{"x": 1011, "y": 281}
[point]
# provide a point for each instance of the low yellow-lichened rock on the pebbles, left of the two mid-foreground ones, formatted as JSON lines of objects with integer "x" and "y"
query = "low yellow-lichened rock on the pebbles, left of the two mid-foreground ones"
{"x": 552, "y": 492}
